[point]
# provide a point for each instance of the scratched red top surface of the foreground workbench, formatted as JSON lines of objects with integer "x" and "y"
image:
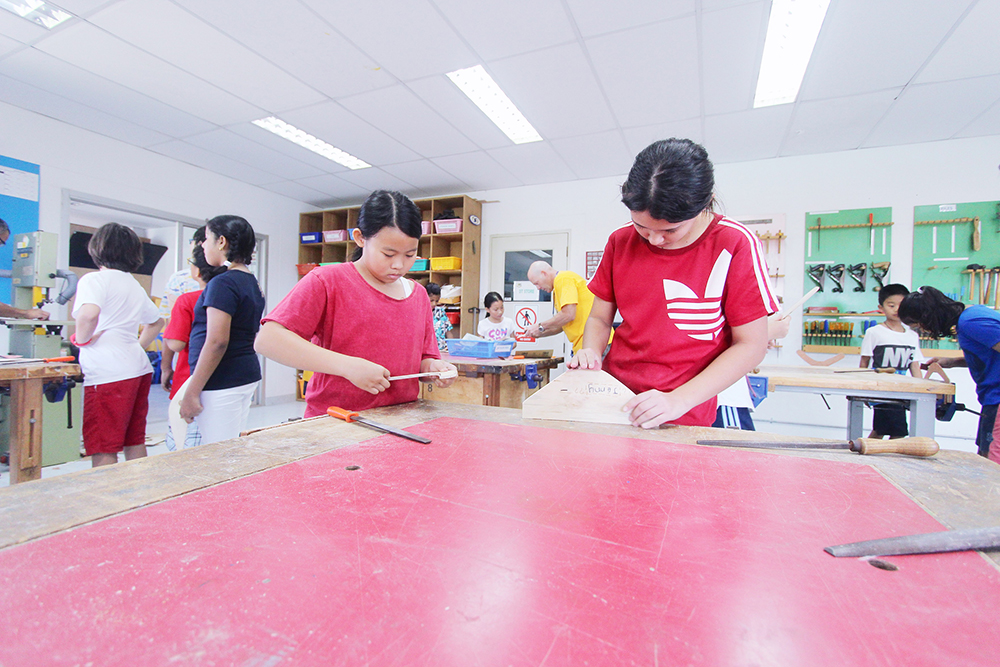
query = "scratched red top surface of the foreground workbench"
{"x": 504, "y": 545}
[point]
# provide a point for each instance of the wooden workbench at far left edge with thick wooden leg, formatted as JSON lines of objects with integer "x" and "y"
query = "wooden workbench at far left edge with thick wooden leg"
{"x": 26, "y": 382}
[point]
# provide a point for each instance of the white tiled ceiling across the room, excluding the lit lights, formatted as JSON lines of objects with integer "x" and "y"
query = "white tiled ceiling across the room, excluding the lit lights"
{"x": 598, "y": 79}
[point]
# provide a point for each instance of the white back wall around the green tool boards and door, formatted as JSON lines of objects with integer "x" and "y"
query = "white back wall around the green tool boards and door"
{"x": 901, "y": 177}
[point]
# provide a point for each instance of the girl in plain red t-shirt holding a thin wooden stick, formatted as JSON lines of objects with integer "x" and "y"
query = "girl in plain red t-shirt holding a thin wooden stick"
{"x": 358, "y": 323}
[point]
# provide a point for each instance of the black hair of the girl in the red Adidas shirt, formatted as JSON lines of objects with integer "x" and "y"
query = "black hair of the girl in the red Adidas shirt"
{"x": 672, "y": 180}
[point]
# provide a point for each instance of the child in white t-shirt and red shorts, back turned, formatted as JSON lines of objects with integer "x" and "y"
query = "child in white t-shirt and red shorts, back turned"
{"x": 110, "y": 307}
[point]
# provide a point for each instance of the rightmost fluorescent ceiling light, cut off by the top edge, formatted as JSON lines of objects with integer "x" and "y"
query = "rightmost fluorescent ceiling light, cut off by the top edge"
{"x": 792, "y": 30}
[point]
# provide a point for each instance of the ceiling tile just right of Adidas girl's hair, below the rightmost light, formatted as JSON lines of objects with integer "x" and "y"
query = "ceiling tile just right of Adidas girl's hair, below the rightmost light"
{"x": 746, "y": 135}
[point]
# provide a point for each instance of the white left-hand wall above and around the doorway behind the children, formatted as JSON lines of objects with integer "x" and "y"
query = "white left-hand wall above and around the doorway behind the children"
{"x": 78, "y": 160}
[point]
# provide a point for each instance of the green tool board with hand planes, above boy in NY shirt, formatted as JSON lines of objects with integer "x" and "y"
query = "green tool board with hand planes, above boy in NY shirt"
{"x": 848, "y": 256}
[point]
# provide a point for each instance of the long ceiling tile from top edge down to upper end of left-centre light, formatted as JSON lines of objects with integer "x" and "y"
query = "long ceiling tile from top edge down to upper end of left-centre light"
{"x": 165, "y": 30}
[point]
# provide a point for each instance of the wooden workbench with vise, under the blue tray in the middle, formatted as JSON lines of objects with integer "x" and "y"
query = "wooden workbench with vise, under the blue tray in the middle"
{"x": 494, "y": 382}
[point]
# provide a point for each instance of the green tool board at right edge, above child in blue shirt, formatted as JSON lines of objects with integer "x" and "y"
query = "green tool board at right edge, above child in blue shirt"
{"x": 945, "y": 246}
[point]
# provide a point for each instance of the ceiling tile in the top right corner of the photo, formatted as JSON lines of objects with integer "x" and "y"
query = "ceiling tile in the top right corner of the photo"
{"x": 972, "y": 50}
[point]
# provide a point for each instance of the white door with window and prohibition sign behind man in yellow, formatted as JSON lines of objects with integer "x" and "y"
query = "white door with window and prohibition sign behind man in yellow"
{"x": 510, "y": 257}
